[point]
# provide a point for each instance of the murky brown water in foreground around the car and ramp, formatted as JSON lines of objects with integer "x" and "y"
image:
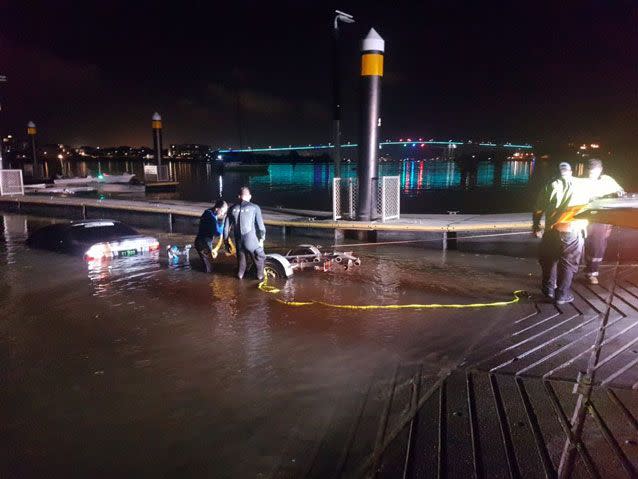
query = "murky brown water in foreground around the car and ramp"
{"x": 136, "y": 368}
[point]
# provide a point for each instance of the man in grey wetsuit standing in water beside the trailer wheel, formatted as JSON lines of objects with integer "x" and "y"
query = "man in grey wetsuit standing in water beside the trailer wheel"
{"x": 249, "y": 232}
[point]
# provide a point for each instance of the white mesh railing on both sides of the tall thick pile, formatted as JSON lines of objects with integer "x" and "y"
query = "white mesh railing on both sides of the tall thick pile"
{"x": 345, "y": 198}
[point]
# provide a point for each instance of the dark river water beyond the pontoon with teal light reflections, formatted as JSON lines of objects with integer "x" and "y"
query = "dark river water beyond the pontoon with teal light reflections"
{"x": 309, "y": 184}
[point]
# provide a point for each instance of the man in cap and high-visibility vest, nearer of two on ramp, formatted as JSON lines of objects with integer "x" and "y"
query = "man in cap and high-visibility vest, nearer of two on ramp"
{"x": 562, "y": 240}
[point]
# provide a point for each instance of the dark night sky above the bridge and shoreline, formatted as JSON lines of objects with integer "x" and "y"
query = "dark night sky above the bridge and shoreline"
{"x": 94, "y": 72}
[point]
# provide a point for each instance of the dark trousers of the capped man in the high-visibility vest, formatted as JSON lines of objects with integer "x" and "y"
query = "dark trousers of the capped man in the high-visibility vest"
{"x": 560, "y": 255}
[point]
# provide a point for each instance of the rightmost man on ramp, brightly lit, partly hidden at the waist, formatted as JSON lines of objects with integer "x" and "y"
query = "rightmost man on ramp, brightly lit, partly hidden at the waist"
{"x": 598, "y": 234}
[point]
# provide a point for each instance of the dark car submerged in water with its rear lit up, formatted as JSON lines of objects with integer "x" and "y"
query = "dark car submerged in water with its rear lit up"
{"x": 94, "y": 239}
